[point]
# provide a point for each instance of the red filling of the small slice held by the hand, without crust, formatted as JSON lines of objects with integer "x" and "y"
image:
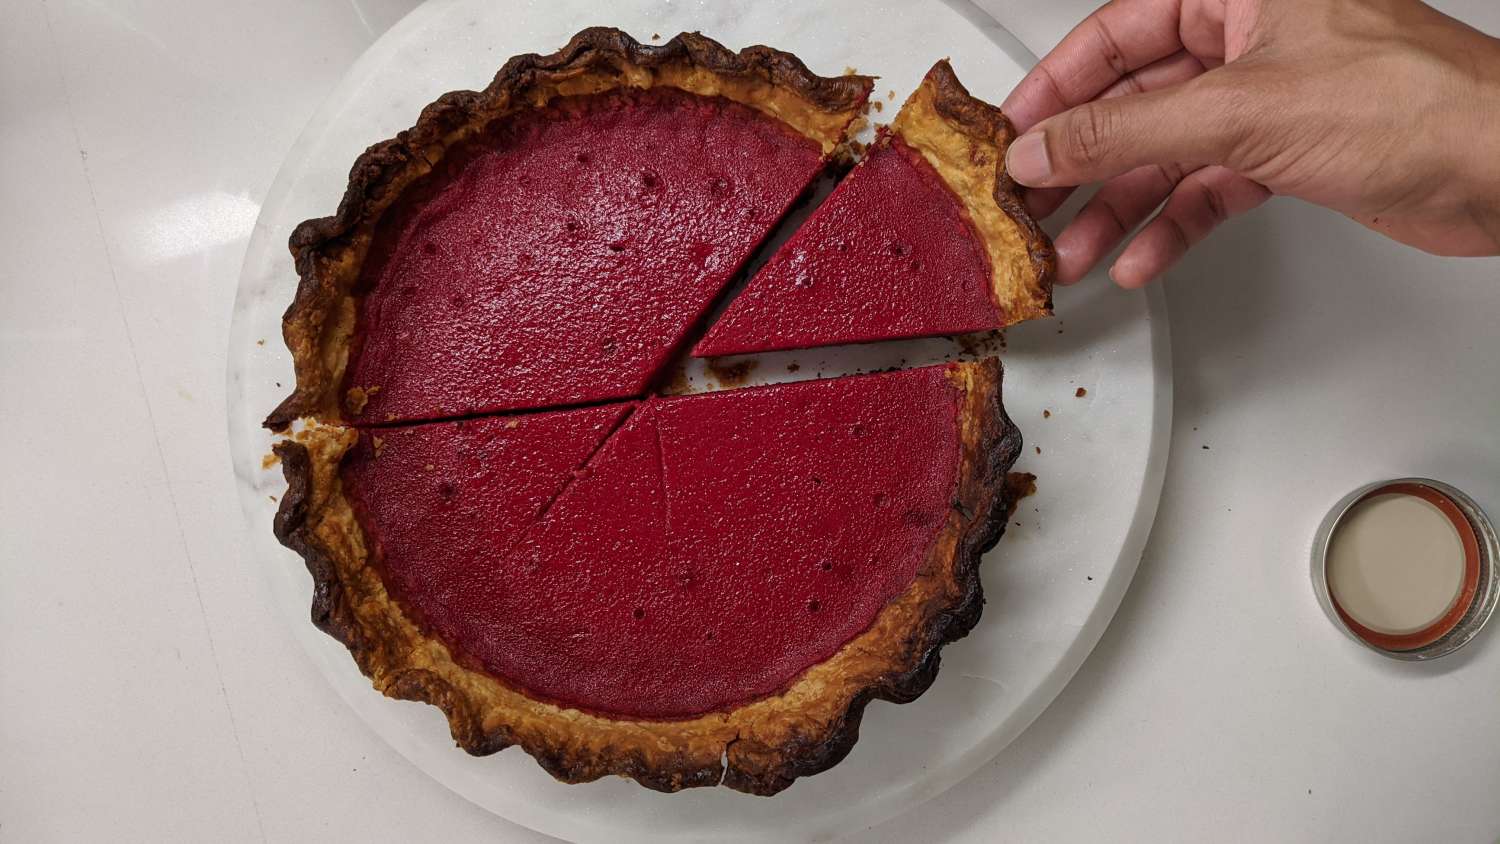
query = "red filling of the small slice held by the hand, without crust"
{"x": 892, "y": 254}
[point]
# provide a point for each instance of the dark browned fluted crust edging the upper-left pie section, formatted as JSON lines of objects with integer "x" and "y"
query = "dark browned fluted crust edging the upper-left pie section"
{"x": 329, "y": 251}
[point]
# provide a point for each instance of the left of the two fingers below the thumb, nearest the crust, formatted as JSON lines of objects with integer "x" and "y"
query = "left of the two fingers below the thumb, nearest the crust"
{"x": 1109, "y": 217}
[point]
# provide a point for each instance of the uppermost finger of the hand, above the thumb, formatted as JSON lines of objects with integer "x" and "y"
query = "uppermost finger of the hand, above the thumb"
{"x": 1114, "y": 41}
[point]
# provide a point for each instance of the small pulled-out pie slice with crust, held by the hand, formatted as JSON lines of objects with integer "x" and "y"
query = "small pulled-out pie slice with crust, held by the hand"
{"x": 926, "y": 236}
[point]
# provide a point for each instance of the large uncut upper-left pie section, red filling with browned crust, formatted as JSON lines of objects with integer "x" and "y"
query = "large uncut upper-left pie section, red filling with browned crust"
{"x": 551, "y": 241}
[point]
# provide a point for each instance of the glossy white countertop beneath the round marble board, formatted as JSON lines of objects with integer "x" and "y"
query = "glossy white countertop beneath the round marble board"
{"x": 148, "y": 692}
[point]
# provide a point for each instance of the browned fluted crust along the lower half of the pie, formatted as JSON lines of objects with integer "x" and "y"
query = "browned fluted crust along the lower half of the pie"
{"x": 760, "y": 747}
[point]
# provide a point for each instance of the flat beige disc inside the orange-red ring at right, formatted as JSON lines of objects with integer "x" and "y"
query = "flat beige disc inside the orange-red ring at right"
{"x": 1396, "y": 564}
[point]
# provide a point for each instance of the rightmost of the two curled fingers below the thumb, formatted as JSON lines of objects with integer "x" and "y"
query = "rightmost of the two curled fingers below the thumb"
{"x": 1196, "y": 208}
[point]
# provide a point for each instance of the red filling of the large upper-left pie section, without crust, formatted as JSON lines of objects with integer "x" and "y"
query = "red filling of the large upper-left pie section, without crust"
{"x": 560, "y": 257}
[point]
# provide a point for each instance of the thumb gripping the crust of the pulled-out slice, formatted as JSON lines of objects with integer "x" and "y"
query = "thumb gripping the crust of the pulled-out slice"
{"x": 1193, "y": 125}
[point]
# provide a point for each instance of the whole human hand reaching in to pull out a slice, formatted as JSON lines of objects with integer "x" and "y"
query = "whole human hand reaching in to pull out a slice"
{"x": 1384, "y": 110}
